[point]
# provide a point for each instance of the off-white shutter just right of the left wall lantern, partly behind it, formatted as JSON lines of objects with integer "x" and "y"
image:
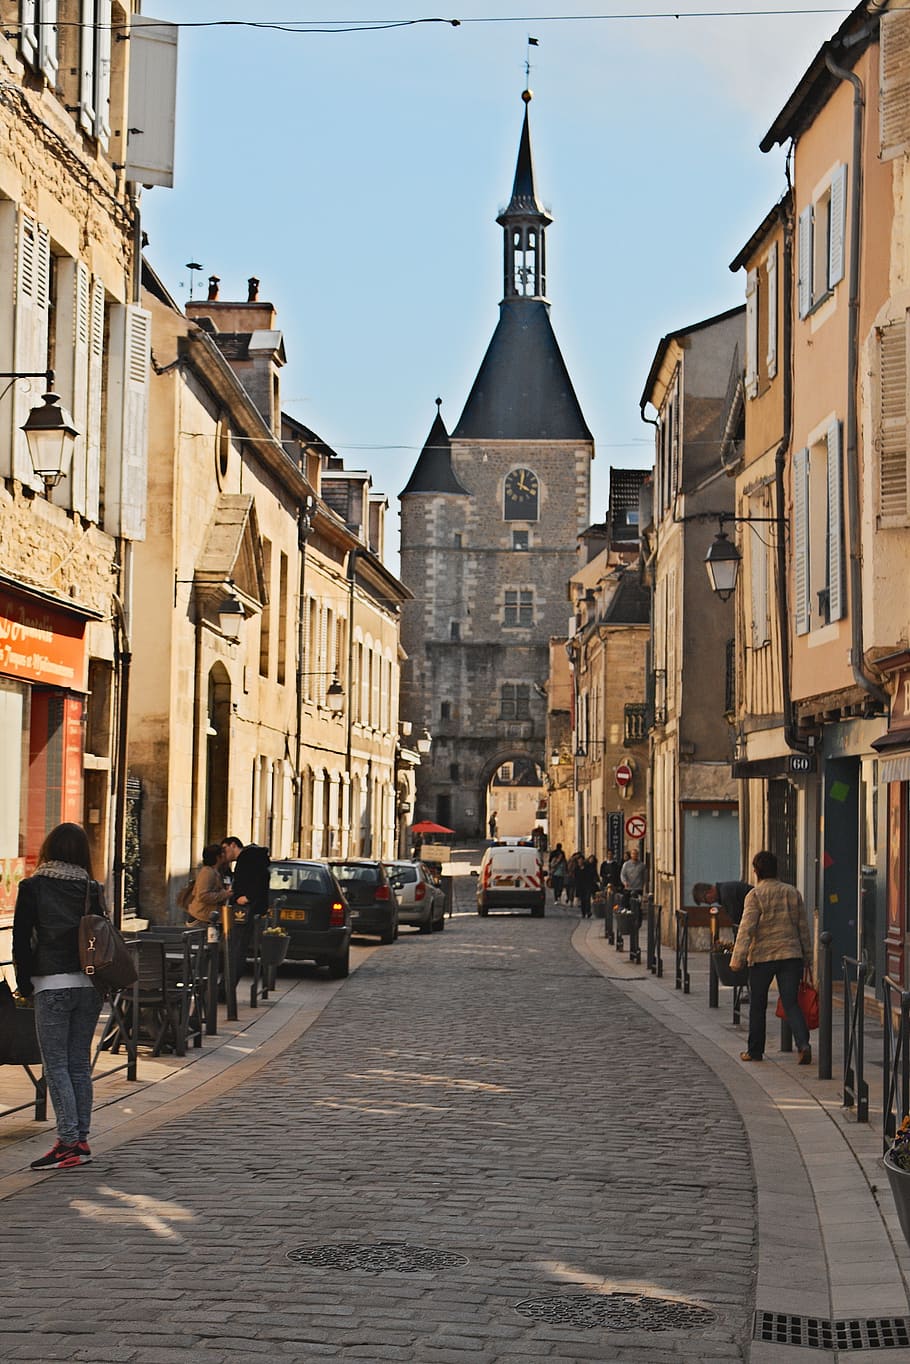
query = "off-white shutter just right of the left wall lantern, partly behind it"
{"x": 72, "y": 373}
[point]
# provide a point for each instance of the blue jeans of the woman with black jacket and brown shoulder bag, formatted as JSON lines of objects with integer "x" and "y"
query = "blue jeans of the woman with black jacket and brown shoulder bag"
{"x": 66, "y": 1022}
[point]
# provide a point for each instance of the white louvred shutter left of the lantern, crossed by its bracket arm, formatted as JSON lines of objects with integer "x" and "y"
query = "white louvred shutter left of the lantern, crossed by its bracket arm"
{"x": 31, "y": 338}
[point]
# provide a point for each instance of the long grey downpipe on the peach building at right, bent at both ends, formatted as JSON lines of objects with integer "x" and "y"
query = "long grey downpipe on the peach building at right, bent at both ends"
{"x": 853, "y": 368}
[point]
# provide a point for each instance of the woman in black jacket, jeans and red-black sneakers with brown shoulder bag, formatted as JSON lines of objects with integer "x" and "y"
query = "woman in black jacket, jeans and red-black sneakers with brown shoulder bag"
{"x": 46, "y": 949}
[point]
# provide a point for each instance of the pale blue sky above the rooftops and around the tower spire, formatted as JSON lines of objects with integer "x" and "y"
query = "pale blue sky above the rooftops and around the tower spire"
{"x": 359, "y": 175}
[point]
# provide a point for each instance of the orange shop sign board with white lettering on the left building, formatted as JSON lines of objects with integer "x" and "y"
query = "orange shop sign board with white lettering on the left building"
{"x": 39, "y": 644}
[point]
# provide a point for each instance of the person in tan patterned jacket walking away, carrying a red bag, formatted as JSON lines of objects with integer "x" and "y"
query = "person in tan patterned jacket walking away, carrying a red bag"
{"x": 773, "y": 940}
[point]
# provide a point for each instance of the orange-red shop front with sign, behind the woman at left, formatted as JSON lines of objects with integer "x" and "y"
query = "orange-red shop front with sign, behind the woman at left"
{"x": 43, "y": 692}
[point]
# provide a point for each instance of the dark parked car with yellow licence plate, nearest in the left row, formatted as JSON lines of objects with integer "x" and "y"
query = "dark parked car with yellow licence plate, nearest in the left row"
{"x": 308, "y": 902}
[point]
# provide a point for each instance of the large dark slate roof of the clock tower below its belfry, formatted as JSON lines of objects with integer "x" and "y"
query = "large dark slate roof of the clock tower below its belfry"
{"x": 523, "y": 391}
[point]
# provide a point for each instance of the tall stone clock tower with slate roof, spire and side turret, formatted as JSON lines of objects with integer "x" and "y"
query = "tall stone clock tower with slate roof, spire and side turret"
{"x": 490, "y": 520}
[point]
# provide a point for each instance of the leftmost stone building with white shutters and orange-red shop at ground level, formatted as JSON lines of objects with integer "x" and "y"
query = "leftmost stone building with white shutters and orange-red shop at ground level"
{"x": 72, "y": 323}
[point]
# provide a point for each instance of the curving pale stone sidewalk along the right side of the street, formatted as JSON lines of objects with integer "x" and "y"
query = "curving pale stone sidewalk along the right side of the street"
{"x": 830, "y": 1245}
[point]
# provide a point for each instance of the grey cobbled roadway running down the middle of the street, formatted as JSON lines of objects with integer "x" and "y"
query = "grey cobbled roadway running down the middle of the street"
{"x": 482, "y": 1092}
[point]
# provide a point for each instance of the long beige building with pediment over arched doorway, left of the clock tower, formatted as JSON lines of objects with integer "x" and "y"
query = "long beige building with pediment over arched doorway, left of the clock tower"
{"x": 267, "y": 677}
